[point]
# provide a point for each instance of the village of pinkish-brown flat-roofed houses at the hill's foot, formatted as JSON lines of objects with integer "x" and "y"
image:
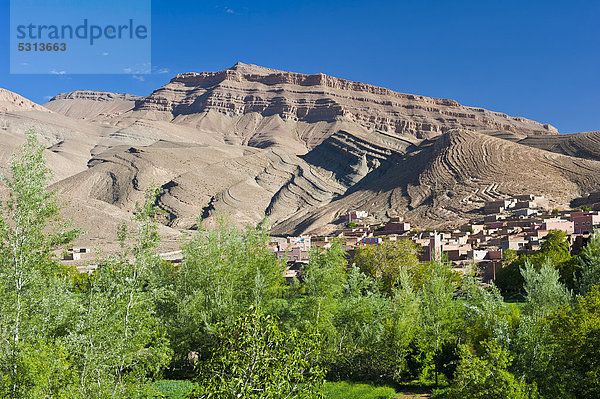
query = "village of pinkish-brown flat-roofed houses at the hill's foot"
{"x": 518, "y": 224}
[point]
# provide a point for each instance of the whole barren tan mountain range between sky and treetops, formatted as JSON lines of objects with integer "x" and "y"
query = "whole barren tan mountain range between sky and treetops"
{"x": 300, "y": 149}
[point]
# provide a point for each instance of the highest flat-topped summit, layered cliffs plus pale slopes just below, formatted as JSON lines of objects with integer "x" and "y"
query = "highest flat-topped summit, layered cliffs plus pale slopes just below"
{"x": 259, "y": 106}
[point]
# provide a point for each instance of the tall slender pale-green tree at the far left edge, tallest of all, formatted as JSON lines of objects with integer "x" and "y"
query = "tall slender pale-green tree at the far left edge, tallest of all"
{"x": 35, "y": 305}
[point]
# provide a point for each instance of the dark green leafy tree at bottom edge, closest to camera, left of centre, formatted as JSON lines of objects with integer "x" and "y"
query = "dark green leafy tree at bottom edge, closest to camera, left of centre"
{"x": 255, "y": 359}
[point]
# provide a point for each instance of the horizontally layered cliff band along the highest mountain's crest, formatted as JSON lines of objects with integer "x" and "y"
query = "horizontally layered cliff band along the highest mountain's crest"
{"x": 245, "y": 89}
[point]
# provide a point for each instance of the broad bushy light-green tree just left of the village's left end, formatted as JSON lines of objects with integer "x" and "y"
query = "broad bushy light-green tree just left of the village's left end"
{"x": 223, "y": 272}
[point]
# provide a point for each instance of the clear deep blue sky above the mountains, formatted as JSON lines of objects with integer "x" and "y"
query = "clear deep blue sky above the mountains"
{"x": 537, "y": 59}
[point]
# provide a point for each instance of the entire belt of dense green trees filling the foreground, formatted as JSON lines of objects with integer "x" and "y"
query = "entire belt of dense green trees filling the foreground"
{"x": 227, "y": 322}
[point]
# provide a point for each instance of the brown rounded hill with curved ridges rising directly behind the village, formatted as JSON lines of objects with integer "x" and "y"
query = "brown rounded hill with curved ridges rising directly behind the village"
{"x": 449, "y": 178}
